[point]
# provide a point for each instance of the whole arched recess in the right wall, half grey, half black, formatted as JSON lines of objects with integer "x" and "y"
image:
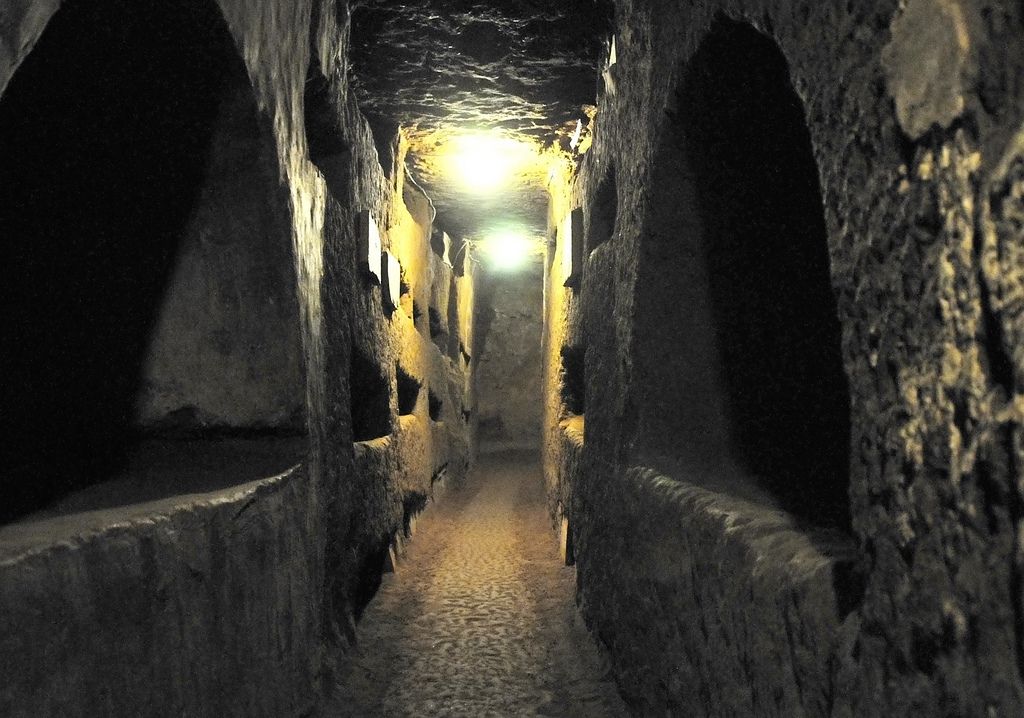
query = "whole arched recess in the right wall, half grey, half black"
{"x": 741, "y": 340}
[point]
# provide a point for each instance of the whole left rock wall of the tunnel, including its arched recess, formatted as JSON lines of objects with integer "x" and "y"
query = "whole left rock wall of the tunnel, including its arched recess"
{"x": 209, "y": 587}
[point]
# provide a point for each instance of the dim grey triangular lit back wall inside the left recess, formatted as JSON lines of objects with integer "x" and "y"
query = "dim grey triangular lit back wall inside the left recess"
{"x": 226, "y": 353}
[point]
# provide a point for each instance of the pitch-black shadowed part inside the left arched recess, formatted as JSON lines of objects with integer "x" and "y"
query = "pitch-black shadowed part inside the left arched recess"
{"x": 104, "y": 137}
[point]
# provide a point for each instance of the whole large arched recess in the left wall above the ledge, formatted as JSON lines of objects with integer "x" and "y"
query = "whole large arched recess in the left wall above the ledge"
{"x": 146, "y": 240}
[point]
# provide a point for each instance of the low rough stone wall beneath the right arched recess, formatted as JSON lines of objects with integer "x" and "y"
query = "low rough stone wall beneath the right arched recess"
{"x": 712, "y": 606}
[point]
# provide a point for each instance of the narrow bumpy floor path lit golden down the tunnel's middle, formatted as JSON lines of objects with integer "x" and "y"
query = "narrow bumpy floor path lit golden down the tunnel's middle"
{"x": 480, "y": 617}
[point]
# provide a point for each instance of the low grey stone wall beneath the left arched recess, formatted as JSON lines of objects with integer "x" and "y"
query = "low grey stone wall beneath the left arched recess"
{"x": 202, "y": 605}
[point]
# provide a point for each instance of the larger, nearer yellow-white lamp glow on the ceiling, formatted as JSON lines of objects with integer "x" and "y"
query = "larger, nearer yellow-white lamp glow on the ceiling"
{"x": 486, "y": 163}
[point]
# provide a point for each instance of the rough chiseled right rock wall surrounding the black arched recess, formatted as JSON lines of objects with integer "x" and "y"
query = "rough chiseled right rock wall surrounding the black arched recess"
{"x": 915, "y": 113}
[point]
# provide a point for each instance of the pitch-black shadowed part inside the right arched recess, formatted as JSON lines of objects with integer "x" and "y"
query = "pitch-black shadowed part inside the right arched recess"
{"x": 765, "y": 254}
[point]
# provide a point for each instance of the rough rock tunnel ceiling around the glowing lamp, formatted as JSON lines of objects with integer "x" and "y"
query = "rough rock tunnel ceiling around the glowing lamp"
{"x": 442, "y": 68}
